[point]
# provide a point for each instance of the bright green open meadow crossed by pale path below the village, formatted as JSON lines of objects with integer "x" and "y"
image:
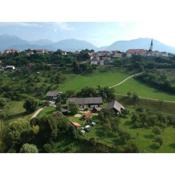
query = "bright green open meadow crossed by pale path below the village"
{"x": 76, "y": 82}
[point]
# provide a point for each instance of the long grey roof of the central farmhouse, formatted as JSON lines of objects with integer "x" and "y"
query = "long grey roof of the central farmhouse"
{"x": 86, "y": 100}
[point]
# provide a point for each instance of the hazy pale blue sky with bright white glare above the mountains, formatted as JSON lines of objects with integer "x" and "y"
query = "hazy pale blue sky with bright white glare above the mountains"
{"x": 98, "y": 33}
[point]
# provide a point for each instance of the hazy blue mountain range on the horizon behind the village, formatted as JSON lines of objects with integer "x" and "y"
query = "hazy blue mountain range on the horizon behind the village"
{"x": 10, "y": 41}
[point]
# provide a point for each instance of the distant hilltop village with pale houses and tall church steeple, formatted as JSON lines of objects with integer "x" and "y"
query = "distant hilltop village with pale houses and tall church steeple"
{"x": 100, "y": 58}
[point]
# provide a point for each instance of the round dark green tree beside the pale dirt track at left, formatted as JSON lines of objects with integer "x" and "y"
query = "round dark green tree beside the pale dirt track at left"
{"x": 30, "y": 105}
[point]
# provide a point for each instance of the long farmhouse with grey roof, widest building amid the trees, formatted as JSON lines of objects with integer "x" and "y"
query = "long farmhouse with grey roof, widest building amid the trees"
{"x": 87, "y": 102}
